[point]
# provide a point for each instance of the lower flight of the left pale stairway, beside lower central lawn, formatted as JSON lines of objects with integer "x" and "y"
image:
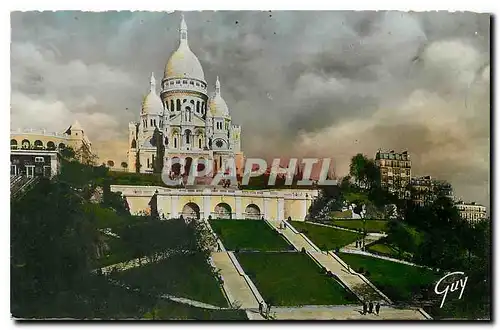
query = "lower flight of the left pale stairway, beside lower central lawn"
{"x": 235, "y": 284}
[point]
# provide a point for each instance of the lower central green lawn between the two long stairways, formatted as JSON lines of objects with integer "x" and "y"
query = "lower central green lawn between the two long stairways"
{"x": 292, "y": 279}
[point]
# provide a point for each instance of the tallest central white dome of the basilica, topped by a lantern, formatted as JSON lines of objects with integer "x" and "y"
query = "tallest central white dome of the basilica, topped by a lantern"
{"x": 183, "y": 63}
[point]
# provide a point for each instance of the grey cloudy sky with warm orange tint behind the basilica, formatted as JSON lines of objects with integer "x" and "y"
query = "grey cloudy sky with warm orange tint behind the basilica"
{"x": 327, "y": 84}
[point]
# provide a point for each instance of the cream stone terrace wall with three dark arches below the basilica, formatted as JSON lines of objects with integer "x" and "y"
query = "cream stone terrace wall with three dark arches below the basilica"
{"x": 219, "y": 204}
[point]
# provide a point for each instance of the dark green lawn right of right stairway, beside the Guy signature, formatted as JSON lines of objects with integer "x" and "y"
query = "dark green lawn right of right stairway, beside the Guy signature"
{"x": 398, "y": 281}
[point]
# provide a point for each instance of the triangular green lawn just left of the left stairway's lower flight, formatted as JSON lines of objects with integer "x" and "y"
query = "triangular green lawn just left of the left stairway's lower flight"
{"x": 188, "y": 276}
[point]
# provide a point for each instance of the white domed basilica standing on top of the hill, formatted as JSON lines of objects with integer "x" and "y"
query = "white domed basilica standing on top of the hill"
{"x": 181, "y": 122}
